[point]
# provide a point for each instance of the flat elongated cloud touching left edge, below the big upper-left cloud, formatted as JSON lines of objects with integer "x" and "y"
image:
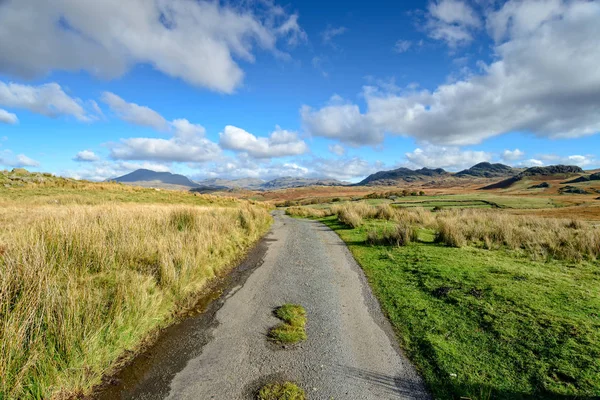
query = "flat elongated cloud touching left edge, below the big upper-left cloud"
{"x": 48, "y": 99}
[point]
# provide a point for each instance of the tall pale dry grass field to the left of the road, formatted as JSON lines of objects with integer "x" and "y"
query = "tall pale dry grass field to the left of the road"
{"x": 79, "y": 285}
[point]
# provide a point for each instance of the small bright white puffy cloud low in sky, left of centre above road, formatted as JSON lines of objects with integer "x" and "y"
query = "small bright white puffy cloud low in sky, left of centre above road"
{"x": 280, "y": 143}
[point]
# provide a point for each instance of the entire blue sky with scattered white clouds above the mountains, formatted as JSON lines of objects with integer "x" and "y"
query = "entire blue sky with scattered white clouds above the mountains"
{"x": 265, "y": 88}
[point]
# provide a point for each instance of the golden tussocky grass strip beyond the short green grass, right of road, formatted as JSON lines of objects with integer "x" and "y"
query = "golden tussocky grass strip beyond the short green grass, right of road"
{"x": 540, "y": 238}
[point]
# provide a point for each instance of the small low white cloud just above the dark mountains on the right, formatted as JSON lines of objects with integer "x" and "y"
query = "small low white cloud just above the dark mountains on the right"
{"x": 450, "y": 158}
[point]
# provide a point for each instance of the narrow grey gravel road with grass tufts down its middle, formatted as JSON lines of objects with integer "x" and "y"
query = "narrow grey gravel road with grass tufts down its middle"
{"x": 350, "y": 352}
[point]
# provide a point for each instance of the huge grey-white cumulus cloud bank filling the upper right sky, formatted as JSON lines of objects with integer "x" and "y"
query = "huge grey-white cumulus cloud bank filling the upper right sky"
{"x": 545, "y": 81}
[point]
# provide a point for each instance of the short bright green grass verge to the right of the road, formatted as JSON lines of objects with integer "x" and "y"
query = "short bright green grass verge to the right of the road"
{"x": 487, "y": 324}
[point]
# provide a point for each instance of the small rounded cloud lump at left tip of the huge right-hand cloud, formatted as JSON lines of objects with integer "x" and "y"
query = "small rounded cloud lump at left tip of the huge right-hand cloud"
{"x": 341, "y": 121}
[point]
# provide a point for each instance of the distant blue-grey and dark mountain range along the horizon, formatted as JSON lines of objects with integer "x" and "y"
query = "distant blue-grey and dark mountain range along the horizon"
{"x": 484, "y": 171}
